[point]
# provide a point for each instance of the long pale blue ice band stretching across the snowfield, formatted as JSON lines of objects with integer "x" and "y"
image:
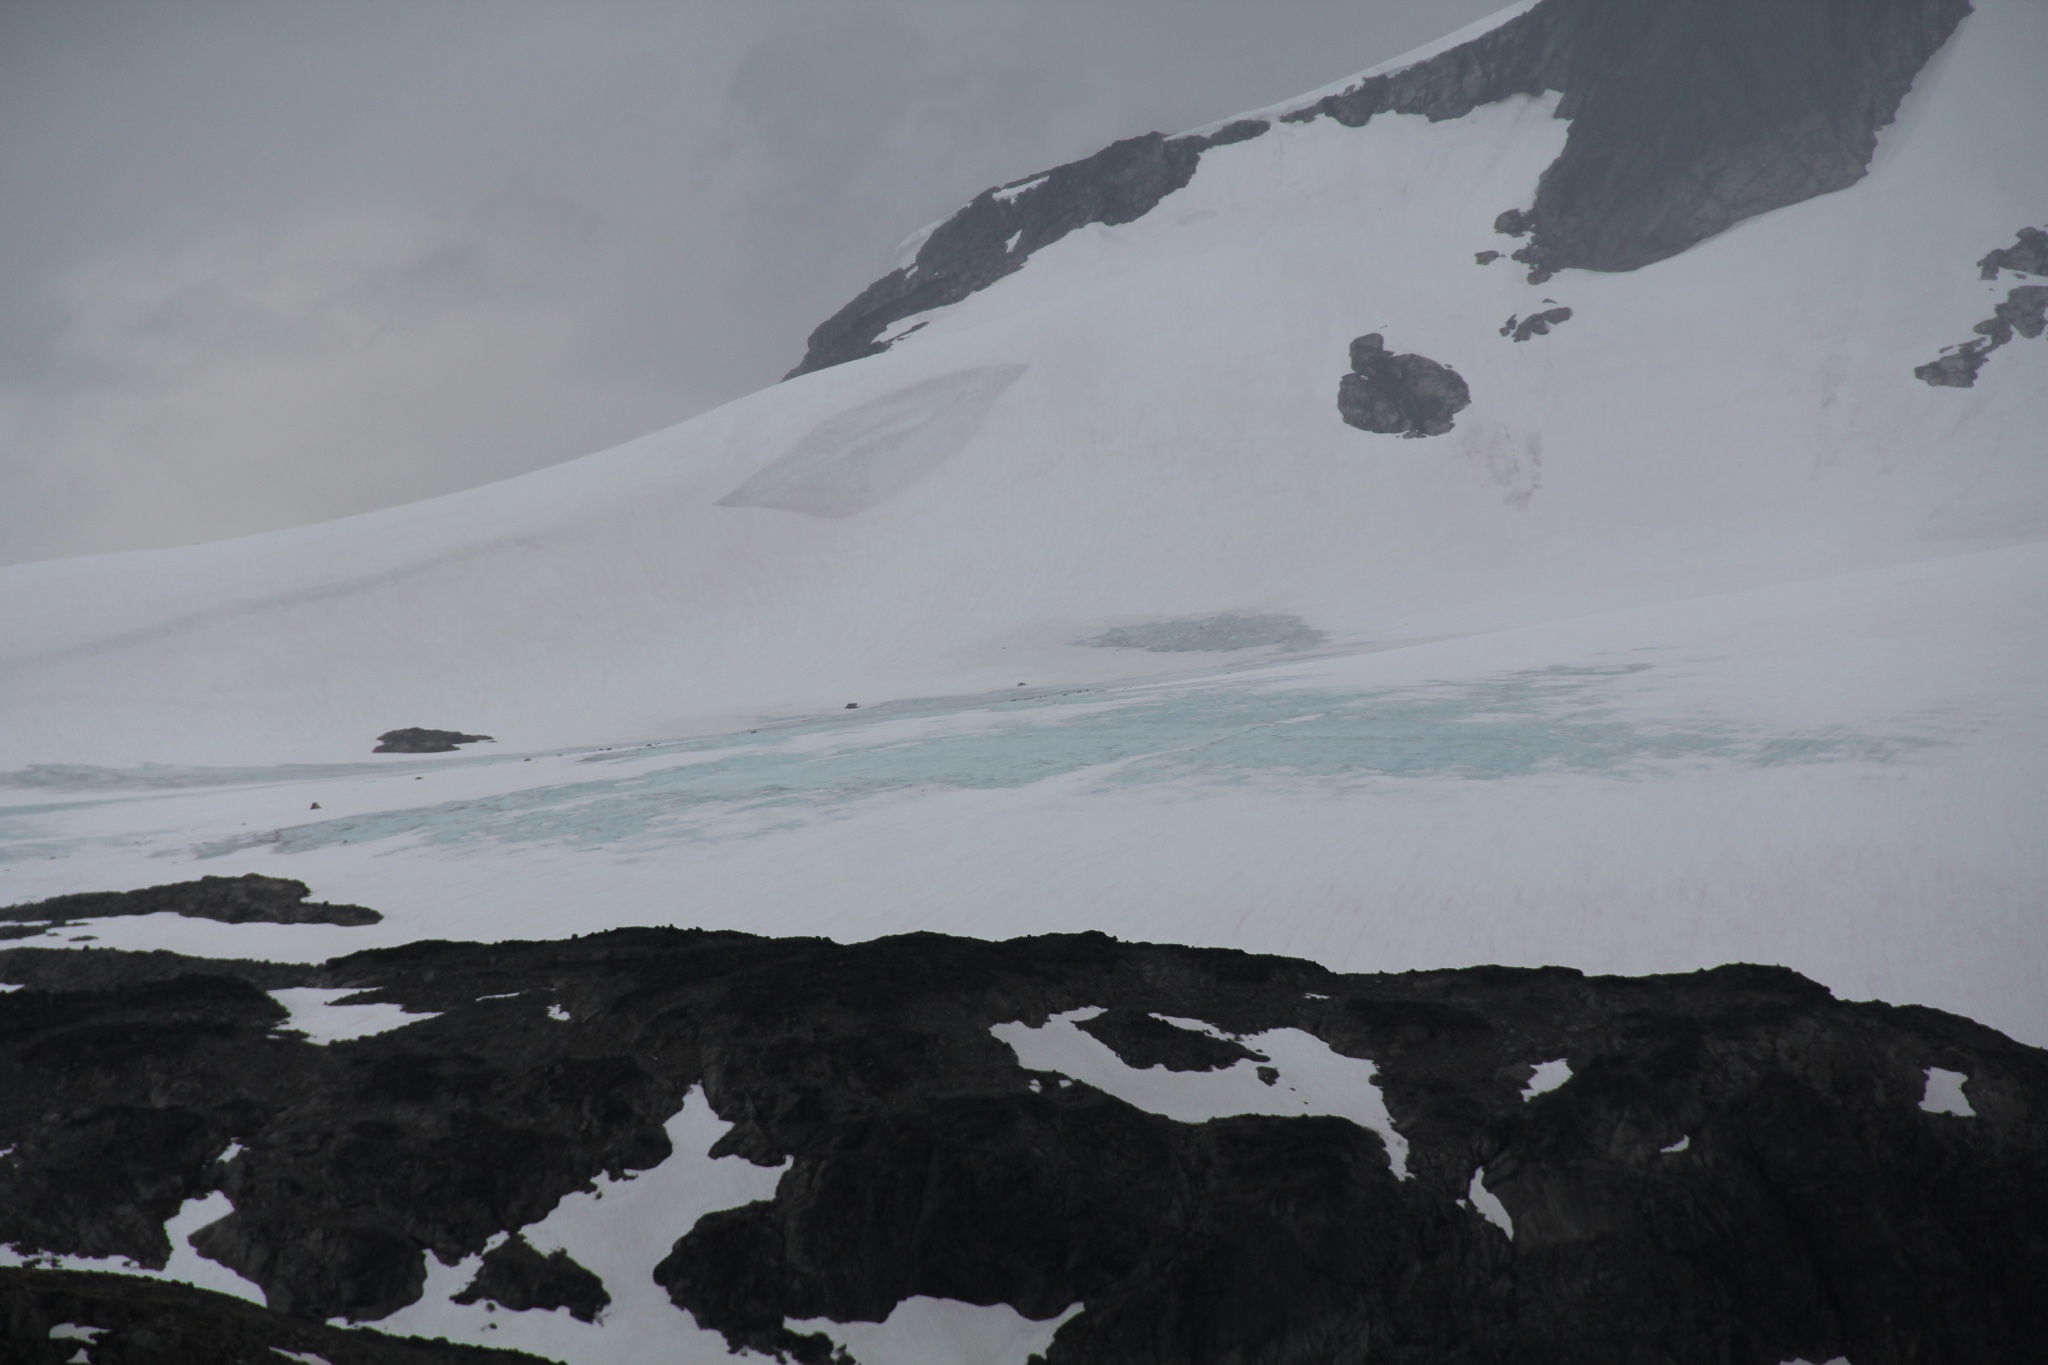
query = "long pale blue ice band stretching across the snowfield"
{"x": 1220, "y": 732}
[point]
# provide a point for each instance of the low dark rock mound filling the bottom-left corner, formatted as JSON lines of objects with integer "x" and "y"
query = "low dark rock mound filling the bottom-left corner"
{"x": 134, "y": 1321}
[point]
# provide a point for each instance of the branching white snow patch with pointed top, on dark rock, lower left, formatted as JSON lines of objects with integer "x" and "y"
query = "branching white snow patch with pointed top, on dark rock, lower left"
{"x": 620, "y": 1233}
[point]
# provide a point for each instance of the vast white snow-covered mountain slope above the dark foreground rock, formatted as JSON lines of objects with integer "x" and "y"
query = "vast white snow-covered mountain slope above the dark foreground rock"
{"x": 1707, "y": 631}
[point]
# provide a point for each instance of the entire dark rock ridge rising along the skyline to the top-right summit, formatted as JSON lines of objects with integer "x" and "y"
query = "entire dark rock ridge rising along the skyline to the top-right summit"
{"x": 1687, "y": 118}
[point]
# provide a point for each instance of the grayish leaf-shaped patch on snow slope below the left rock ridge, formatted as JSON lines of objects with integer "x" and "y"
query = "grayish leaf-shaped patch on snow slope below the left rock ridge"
{"x": 876, "y": 451}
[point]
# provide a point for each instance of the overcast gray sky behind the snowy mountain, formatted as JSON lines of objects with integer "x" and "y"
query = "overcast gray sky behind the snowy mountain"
{"x": 278, "y": 261}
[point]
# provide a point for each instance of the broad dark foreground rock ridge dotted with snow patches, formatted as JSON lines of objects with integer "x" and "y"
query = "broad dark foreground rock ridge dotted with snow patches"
{"x": 1738, "y": 1170}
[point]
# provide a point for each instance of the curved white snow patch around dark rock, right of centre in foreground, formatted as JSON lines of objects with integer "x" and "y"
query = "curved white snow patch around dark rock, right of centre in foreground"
{"x": 1314, "y": 1080}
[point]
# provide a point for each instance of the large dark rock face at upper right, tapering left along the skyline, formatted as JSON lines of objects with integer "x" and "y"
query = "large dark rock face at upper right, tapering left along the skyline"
{"x": 1687, "y": 116}
